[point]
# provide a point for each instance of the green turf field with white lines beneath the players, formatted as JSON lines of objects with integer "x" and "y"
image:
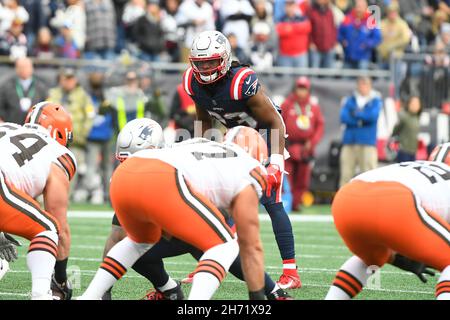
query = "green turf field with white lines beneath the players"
{"x": 320, "y": 253}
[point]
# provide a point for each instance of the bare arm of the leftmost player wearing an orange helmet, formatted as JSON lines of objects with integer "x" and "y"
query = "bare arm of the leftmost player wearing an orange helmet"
{"x": 56, "y": 202}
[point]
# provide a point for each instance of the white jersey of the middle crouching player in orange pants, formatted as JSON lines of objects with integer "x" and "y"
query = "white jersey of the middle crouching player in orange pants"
{"x": 218, "y": 171}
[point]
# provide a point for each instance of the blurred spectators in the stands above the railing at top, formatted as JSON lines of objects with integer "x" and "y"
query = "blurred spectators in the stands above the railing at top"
{"x": 299, "y": 33}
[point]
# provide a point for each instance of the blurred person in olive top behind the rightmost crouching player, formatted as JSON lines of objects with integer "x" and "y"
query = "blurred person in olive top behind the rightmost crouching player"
{"x": 406, "y": 131}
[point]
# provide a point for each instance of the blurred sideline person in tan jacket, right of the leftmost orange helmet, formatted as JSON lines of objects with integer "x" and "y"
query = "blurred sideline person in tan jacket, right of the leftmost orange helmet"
{"x": 78, "y": 103}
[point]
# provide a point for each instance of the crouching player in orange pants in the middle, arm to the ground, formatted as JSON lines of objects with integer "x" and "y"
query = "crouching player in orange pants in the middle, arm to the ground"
{"x": 175, "y": 192}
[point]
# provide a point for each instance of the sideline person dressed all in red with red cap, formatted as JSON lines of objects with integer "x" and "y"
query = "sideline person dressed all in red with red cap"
{"x": 305, "y": 126}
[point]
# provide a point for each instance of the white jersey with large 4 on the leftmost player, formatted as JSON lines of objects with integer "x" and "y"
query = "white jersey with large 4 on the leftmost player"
{"x": 26, "y": 157}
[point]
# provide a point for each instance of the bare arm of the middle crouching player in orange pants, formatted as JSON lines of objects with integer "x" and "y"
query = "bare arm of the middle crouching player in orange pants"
{"x": 245, "y": 215}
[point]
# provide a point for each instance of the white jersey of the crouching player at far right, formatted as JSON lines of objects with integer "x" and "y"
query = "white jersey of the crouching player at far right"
{"x": 429, "y": 181}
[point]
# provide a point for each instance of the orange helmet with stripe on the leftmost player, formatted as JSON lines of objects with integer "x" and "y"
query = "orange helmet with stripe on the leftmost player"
{"x": 54, "y": 118}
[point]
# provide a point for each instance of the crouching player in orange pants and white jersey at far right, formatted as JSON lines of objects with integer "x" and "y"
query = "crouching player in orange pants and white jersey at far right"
{"x": 399, "y": 214}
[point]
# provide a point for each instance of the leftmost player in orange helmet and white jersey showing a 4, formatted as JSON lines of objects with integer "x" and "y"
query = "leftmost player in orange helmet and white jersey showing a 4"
{"x": 35, "y": 161}
